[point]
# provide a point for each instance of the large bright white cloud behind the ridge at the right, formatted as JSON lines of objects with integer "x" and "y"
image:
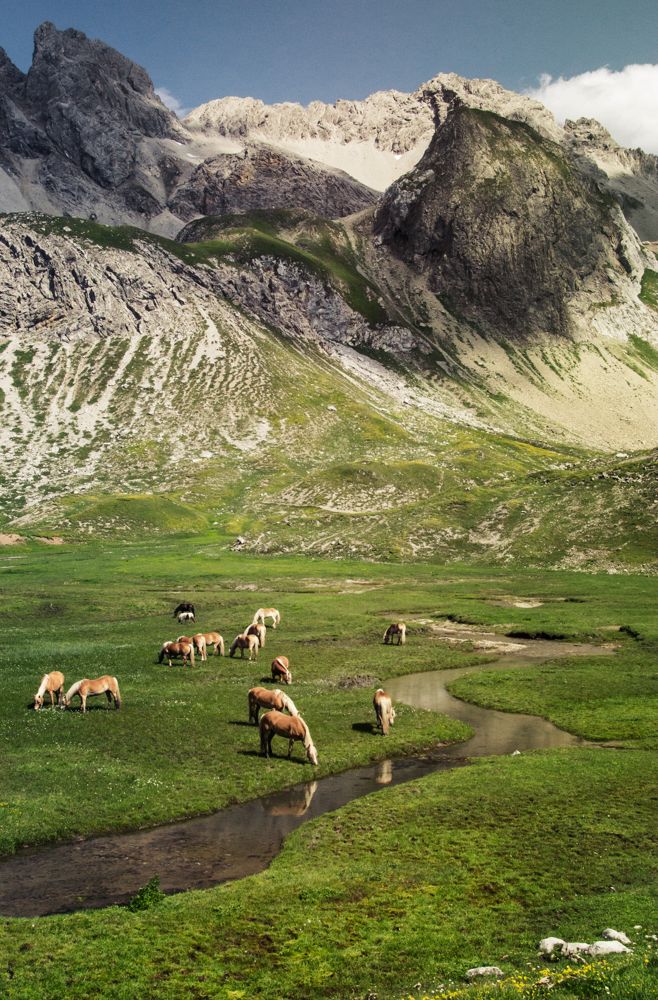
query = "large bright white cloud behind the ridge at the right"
{"x": 625, "y": 101}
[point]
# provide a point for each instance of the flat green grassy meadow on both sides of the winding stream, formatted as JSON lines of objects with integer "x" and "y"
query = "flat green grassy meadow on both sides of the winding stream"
{"x": 394, "y": 895}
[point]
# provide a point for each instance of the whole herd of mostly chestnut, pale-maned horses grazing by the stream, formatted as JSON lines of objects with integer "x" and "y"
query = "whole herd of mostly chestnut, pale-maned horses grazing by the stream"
{"x": 273, "y": 722}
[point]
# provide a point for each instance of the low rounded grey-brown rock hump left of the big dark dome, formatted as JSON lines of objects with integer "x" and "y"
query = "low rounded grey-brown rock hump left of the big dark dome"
{"x": 264, "y": 178}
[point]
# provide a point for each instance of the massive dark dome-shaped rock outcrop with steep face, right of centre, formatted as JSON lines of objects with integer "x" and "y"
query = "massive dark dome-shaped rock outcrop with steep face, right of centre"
{"x": 510, "y": 235}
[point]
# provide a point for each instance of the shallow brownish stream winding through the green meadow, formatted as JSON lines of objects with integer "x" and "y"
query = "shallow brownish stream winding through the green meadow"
{"x": 242, "y": 840}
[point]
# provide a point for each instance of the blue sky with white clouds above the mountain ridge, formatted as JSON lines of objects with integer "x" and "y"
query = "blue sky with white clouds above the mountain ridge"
{"x": 304, "y": 50}
